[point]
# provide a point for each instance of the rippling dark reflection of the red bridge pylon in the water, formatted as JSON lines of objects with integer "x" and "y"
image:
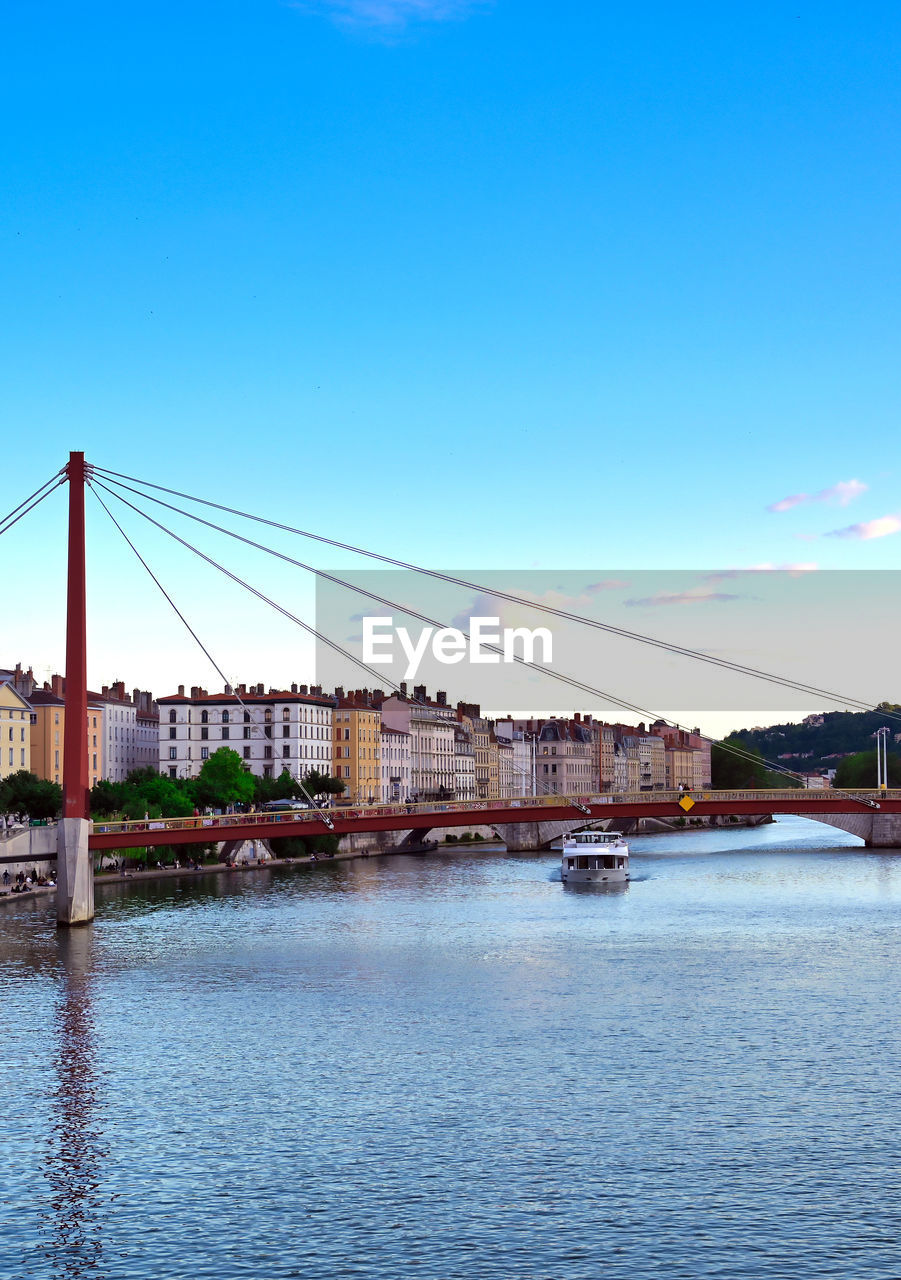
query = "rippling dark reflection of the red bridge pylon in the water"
{"x": 75, "y": 1151}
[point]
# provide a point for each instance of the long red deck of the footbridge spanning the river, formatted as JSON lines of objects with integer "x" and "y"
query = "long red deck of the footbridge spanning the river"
{"x": 492, "y": 813}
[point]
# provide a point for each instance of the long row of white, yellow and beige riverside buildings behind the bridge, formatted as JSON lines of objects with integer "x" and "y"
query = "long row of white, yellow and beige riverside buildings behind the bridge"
{"x": 391, "y": 748}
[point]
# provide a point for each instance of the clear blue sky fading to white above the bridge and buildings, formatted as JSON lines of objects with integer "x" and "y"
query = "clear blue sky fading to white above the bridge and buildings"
{"x": 482, "y": 285}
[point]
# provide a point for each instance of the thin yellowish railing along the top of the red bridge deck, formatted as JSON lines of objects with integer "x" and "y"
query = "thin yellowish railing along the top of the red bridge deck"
{"x": 217, "y": 824}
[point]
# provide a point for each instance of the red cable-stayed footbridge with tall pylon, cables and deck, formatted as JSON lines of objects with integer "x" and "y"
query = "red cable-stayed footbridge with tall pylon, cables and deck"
{"x": 525, "y": 822}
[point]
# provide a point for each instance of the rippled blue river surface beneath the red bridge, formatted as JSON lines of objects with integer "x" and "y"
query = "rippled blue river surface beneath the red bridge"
{"x": 456, "y": 1067}
